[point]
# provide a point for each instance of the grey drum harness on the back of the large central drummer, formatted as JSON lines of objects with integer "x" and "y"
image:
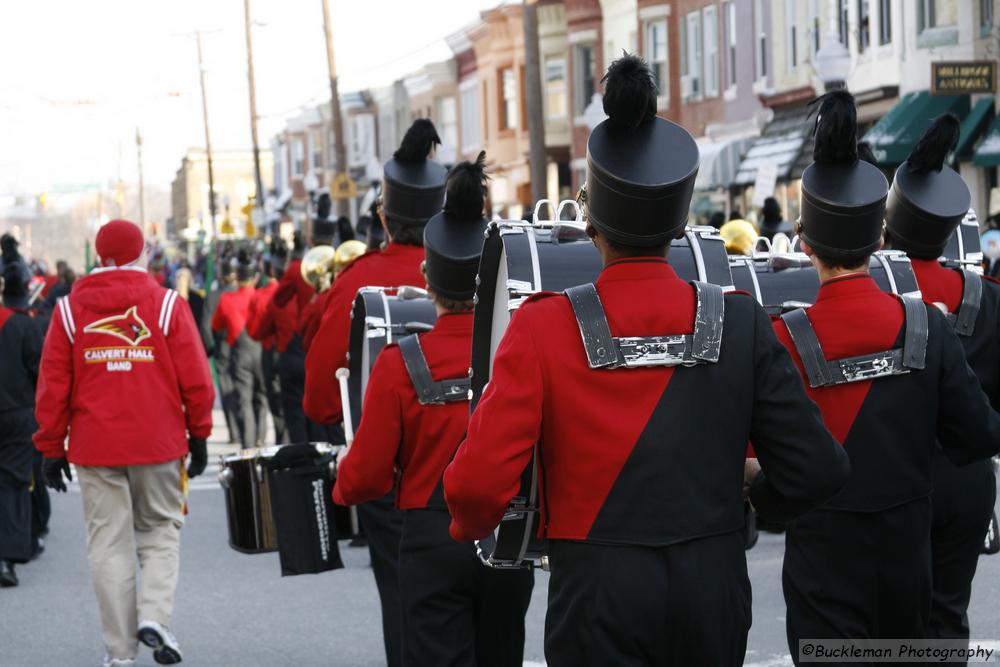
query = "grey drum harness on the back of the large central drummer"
{"x": 606, "y": 351}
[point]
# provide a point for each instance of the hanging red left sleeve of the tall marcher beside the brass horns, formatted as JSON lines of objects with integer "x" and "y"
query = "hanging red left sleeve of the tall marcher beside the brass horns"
{"x": 321, "y": 401}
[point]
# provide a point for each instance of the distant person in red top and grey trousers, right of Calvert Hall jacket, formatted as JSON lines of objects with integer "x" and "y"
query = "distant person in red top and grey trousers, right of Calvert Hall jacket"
{"x": 230, "y": 319}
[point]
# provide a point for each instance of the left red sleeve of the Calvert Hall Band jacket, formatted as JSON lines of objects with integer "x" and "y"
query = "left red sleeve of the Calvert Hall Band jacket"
{"x": 55, "y": 388}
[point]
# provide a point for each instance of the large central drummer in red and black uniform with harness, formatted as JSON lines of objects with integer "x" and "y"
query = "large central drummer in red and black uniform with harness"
{"x": 642, "y": 482}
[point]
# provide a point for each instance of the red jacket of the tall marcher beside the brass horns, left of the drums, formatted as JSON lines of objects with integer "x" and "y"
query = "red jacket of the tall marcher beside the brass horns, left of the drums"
{"x": 395, "y": 266}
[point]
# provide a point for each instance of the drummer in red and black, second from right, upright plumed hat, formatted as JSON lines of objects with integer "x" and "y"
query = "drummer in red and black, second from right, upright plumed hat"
{"x": 888, "y": 374}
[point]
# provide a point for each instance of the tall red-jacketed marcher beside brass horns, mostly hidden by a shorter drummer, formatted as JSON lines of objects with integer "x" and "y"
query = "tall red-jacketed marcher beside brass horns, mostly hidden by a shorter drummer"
{"x": 413, "y": 192}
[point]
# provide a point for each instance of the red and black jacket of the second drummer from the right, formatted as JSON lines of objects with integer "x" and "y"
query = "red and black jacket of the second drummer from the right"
{"x": 888, "y": 425}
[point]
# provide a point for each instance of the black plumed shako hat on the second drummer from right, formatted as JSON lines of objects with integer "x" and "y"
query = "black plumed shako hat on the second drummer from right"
{"x": 843, "y": 198}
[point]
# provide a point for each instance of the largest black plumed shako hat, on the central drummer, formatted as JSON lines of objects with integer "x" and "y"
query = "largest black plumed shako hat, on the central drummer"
{"x": 640, "y": 168}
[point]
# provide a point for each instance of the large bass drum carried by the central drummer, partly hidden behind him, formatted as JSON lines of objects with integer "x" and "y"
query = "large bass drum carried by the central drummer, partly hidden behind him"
{"x": 518, "y": 260}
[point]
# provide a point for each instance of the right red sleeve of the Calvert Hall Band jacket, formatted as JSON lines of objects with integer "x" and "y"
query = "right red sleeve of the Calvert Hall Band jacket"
{"x": 191, "y": 368}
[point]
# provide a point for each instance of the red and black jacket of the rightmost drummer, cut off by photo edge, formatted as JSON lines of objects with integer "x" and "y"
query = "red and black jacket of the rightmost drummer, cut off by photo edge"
{"x": 982, "y": 349}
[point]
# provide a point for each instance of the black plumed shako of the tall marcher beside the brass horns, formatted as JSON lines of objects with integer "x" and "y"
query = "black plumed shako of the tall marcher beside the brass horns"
{"x": 412, "y": 185}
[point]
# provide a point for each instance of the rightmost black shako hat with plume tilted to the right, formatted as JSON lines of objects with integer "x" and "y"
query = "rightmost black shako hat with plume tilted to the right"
{"x": 928, "y": 200}
